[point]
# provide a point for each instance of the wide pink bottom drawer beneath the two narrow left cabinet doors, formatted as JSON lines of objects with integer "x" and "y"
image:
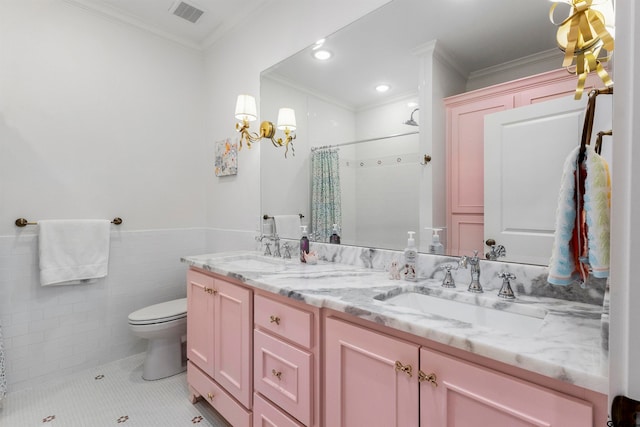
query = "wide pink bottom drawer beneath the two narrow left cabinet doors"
{"x": 215, "y": 395}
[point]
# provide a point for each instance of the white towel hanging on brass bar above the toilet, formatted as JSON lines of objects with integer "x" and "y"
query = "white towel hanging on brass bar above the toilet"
{"x": 73, "y": 251}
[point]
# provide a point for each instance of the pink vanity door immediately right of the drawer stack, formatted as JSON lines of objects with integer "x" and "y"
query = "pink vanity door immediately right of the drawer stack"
{"x": 363, "y": 386}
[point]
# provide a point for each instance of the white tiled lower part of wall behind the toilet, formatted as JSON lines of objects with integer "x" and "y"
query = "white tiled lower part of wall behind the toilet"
{"x": 52, "y": 331}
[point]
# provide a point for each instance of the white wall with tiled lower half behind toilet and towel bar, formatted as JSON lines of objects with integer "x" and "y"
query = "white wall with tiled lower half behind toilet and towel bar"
{"x": 97, "y": 120}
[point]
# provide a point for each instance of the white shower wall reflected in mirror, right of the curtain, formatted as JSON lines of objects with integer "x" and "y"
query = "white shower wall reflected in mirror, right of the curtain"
{"x": 387, "y": 174}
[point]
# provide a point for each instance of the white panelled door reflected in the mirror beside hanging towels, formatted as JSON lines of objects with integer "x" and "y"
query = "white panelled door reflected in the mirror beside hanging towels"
{"x": 520, "y": 212}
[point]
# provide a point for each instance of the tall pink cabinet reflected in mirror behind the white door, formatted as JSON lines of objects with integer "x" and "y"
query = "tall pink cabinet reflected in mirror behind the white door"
{"x": 465, "y": 147}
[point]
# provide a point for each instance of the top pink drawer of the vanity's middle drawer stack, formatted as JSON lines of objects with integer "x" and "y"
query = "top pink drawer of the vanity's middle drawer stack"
{"x": 288, "y": 322}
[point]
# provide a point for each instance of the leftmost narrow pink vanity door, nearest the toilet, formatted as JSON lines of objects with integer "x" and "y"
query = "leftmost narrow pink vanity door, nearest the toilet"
{"x": 200, "y": 320}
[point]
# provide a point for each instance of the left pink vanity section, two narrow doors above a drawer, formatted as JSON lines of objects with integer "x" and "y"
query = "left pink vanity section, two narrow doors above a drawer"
{"x": 219, "y": 345}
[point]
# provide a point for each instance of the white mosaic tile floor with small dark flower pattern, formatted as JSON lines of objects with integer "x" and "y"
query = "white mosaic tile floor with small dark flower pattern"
{"x": 110, "y": 395}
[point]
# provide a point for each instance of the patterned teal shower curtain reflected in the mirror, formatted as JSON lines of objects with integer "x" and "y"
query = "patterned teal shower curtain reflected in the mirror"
{"x": 326, "y": 206}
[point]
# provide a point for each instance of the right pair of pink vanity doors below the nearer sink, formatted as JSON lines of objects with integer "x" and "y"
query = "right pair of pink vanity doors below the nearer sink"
{"x": 376, "y": 376}
